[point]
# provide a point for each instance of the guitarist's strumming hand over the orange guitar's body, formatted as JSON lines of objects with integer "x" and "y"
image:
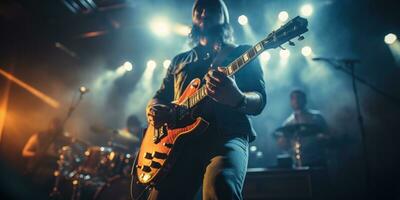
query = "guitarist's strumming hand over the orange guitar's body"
{"x": 159, "y": 114}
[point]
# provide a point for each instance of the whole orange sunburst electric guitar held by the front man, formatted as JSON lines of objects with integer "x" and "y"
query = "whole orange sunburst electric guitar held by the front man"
{"x": 157, "y": 152}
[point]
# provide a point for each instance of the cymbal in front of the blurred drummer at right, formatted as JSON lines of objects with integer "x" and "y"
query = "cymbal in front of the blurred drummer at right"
{"x": 302, "y": 130}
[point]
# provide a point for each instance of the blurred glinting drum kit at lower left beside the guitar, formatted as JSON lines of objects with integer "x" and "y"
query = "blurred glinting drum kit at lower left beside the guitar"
{"x": 93, "y": 172}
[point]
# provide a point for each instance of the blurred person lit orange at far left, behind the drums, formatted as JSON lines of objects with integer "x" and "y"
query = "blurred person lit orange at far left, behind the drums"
{"x": 41, "y": 152}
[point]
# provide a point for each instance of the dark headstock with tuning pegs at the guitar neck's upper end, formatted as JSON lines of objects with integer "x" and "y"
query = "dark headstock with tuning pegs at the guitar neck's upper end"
{"x": 293, "y": 28}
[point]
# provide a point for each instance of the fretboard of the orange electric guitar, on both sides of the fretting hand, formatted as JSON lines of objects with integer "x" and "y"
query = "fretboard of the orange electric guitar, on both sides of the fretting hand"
{"x": 231, "y": 69}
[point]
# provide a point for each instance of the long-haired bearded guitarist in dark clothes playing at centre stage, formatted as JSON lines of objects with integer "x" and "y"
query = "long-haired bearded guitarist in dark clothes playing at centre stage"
{"x": 216, "y": 159}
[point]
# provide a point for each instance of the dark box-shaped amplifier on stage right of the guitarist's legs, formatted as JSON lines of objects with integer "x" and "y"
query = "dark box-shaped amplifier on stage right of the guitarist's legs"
{"x": 286, "y": 184}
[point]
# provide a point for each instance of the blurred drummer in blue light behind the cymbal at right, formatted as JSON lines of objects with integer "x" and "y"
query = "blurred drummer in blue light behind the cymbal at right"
{"x": 312, "y": 146}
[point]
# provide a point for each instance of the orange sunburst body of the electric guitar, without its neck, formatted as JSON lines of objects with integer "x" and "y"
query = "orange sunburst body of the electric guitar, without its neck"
{"x": 156, "y": 156}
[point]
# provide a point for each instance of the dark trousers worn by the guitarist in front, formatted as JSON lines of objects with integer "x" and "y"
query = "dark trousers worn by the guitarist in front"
{"x": 215, "y": 162}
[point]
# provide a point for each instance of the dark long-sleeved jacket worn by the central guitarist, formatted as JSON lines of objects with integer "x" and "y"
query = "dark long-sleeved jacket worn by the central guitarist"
{"x": 227, "y": 120}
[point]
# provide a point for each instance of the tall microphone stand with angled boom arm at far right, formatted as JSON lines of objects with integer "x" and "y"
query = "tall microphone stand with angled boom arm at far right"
{"x": 343, "y": 65}
